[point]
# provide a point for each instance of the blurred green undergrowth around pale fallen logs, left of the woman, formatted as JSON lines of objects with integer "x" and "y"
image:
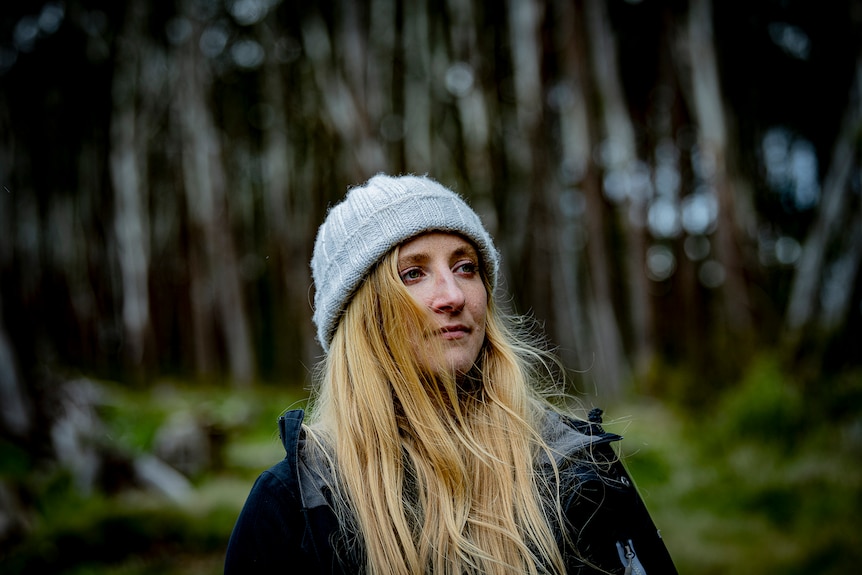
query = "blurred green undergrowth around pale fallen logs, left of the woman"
{"x": 125, "y": 529}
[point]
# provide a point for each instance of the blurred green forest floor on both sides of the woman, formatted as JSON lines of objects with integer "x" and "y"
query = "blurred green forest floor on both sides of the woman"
{"x": 755, "y": 485}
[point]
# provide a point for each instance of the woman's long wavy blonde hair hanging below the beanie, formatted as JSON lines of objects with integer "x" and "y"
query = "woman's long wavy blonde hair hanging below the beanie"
{"x": 433, "y": 473}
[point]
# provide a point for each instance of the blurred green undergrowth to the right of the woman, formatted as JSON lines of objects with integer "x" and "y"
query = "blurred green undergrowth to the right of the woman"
{"x": 768, "y": 479}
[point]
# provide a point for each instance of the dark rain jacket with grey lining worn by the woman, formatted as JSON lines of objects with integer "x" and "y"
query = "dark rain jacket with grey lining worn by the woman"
{"x": 287, "y": 524}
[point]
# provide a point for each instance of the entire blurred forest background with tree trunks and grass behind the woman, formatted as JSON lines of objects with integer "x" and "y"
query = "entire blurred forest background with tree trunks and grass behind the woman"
{"x": 674, "y": 186}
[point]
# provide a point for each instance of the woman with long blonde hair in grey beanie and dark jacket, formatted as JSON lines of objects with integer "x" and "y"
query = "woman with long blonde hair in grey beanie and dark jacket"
{"x": 430, "y": 447}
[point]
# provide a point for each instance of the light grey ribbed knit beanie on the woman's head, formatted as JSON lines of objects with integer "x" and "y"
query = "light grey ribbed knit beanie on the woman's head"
{"x": 373, "y": 219}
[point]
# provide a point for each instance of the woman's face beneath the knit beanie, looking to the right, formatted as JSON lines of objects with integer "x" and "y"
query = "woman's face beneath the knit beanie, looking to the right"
{"x": 441, "y": 272}
